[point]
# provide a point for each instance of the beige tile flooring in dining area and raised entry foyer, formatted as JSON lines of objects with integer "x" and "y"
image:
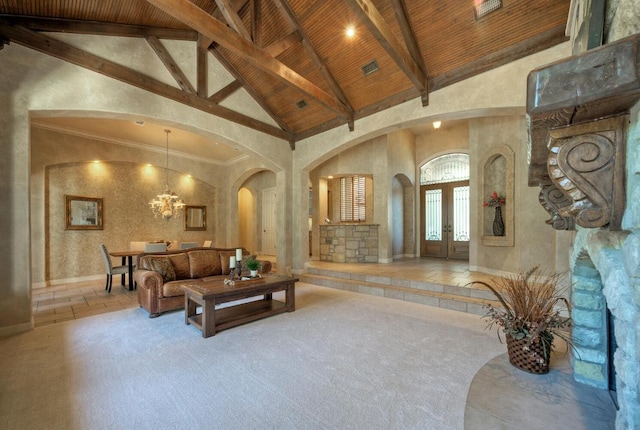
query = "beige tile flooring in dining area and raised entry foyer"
{"x": 72, "y": 301}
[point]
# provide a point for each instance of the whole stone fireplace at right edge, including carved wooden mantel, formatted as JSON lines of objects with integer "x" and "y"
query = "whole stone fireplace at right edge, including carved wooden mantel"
{"x": 584, "y": 154}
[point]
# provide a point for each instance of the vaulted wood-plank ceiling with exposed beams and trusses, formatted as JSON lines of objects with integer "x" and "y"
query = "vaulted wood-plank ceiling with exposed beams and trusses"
{"x": 284, "y": 52}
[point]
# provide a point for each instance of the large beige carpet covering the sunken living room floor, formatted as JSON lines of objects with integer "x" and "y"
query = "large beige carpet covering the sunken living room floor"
{"x": 340, "y": 361}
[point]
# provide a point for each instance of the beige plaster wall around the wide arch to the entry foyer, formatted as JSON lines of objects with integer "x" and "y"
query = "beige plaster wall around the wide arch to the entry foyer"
{"x": 501, "y": 91}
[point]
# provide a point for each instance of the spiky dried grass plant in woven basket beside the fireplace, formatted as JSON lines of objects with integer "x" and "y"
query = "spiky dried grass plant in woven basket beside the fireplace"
{"x": 532, "y": 313}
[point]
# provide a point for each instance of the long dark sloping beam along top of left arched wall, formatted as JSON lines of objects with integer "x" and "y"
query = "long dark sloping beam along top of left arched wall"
{"x": 66, "y": 52}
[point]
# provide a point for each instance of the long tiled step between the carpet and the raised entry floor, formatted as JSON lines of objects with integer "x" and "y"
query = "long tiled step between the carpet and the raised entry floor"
{"x": 462, "y": 299}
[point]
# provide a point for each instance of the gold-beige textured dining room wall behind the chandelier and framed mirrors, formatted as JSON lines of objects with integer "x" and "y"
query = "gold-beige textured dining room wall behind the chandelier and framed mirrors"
{"x": 125, "y": 189}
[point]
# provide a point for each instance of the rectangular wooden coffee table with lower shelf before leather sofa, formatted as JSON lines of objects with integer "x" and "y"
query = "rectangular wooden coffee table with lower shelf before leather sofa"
{"x": 211, "y": 293}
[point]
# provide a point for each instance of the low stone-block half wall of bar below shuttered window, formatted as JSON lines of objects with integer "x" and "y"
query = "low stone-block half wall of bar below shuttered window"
{"x": 349, "y": 243}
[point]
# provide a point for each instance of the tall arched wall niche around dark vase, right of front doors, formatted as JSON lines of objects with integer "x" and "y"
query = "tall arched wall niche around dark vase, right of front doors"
{"x": 497, "y": 170}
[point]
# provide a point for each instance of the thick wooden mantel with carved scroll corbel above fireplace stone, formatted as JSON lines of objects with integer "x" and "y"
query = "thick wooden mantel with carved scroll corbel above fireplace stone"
{"x": 577, "y": 110}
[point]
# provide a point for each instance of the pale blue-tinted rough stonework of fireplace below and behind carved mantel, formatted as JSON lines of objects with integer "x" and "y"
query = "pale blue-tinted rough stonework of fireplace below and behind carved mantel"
{"x": 606, "y": 274}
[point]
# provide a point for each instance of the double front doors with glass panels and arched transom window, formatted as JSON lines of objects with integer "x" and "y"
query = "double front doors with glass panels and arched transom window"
{"x": 444, "y": 207}
